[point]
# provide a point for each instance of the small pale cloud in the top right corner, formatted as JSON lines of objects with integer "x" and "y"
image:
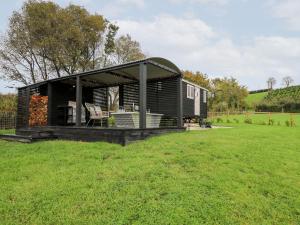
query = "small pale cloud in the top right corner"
{"x": 289, "y": 11}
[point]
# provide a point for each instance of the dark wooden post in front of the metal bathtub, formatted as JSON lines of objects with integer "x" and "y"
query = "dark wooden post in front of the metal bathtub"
{"x": 143, "y": 94}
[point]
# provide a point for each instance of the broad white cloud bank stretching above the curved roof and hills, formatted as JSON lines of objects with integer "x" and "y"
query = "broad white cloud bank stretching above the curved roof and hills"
{"x": 193, "y": 44}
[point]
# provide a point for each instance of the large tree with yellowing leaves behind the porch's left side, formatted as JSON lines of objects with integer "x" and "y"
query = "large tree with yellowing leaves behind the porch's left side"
{"x": 45, "y": 41}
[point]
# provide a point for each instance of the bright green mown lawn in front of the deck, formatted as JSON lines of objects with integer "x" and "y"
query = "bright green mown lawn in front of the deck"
{"x": 249, "y": 174}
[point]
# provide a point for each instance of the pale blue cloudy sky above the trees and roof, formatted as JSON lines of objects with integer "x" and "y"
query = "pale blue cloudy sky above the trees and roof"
{"x": 249, "y": 40}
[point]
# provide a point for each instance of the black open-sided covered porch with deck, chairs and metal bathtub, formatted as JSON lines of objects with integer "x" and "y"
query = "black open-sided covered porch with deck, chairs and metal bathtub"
{"x": 150, "y": 102}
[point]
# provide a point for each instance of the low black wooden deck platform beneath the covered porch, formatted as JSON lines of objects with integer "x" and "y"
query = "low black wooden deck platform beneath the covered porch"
{"x": 121, "y": 136}
